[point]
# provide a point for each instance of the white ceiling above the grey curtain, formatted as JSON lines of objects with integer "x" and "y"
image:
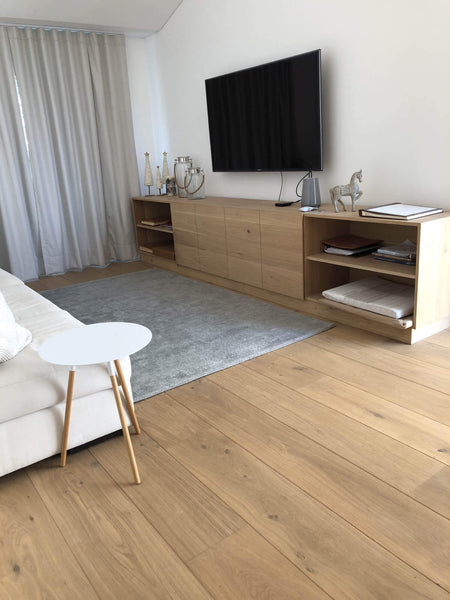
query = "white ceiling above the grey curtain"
{"x": 133, "y": 17}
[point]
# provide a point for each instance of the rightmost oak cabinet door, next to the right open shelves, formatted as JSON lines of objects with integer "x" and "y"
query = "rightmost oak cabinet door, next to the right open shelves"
{"x": 282, "y": 253}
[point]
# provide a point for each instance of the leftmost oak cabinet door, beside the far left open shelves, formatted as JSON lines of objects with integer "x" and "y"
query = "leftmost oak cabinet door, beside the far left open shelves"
{"x": 185, "y": 235}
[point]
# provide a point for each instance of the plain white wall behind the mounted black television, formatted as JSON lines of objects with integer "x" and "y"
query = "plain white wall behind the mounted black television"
{"x": 386, "y": 89}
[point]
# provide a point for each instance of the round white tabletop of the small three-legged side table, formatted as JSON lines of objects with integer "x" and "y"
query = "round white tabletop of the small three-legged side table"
{"x": 93, "y": 344}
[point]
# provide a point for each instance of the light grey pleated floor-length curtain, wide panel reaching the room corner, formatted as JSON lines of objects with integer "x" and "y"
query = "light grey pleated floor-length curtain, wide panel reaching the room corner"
{"x": 72, "y": 96}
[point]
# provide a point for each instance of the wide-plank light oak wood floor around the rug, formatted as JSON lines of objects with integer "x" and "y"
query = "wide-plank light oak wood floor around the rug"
{"x": 318, "y": 471}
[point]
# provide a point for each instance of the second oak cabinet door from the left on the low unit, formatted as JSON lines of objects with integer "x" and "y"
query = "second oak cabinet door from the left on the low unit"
{"x": 212, "y": 247}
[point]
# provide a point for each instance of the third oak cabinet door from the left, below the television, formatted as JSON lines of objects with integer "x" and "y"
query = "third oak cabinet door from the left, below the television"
{"x": 244, "y": 245}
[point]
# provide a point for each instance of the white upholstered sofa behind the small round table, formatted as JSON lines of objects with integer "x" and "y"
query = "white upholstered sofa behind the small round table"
{"x": 32, "y": 392}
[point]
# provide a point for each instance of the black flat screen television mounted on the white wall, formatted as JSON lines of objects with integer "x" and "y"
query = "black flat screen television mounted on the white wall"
{"x": 268, "y": 117}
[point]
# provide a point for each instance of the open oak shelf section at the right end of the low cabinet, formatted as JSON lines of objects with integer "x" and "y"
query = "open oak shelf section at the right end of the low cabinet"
{"x": 430, "y": 276}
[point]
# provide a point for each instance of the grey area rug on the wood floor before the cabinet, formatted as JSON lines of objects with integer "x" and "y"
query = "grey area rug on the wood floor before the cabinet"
{"x": 197, "y": 328}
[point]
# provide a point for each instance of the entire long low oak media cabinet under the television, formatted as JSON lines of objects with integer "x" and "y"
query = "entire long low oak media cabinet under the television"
{"x": 253, "y": 247}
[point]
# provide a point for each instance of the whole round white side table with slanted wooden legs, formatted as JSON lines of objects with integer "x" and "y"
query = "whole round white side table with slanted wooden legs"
{"x": 93, "y": 344}
